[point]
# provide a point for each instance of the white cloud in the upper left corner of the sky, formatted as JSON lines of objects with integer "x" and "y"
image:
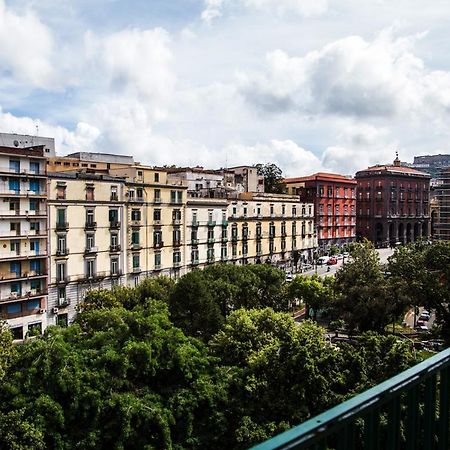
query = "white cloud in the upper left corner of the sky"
{"x": 26, "y": 48}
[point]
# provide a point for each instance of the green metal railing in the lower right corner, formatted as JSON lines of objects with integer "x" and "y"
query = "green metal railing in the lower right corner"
{"x": 409, "y": 411}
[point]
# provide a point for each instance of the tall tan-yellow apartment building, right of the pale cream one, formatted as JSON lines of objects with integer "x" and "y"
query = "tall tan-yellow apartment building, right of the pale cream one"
{"x": 156, "y": 217}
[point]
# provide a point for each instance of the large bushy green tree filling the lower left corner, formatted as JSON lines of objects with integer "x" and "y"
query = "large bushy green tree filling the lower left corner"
{"x": 115, "y": 379}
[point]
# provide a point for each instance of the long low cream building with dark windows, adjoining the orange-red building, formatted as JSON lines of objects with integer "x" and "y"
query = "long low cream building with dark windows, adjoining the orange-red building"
{"x": 273, "y": 228}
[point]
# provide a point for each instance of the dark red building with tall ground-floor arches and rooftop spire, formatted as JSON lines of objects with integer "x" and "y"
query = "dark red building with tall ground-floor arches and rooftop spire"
{"x": 392, "y": 204}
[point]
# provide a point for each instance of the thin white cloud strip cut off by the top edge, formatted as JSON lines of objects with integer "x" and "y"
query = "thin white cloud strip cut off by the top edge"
{"x": 305, "y": 8}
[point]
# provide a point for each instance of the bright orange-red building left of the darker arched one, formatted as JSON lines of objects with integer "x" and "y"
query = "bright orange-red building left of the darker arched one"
{"x": 334, "y": 198}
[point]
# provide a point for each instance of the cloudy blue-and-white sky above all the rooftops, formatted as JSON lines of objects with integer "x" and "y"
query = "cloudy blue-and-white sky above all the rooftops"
{"x": 330, "y": 85}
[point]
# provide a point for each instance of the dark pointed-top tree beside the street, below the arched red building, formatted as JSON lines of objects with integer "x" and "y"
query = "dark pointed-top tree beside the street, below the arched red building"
{"x": 364, "y": 298}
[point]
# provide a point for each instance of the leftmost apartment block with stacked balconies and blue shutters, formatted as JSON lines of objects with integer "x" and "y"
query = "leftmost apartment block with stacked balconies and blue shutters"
{"x": 23, "y": 239}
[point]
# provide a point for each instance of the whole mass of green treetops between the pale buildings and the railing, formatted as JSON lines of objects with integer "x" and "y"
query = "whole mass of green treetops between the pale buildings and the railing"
{"x": 212, "y": 361}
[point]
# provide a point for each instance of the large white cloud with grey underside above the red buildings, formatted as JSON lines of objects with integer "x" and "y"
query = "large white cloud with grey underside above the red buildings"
{"x": 350, "y": 77}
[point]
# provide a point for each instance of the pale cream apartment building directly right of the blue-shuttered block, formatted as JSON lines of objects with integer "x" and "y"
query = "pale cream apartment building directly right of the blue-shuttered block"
{"x": 87, "y": 237}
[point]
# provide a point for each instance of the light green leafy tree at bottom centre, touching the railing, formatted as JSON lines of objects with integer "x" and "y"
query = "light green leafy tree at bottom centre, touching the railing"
{"x": 284, "y": 373}
